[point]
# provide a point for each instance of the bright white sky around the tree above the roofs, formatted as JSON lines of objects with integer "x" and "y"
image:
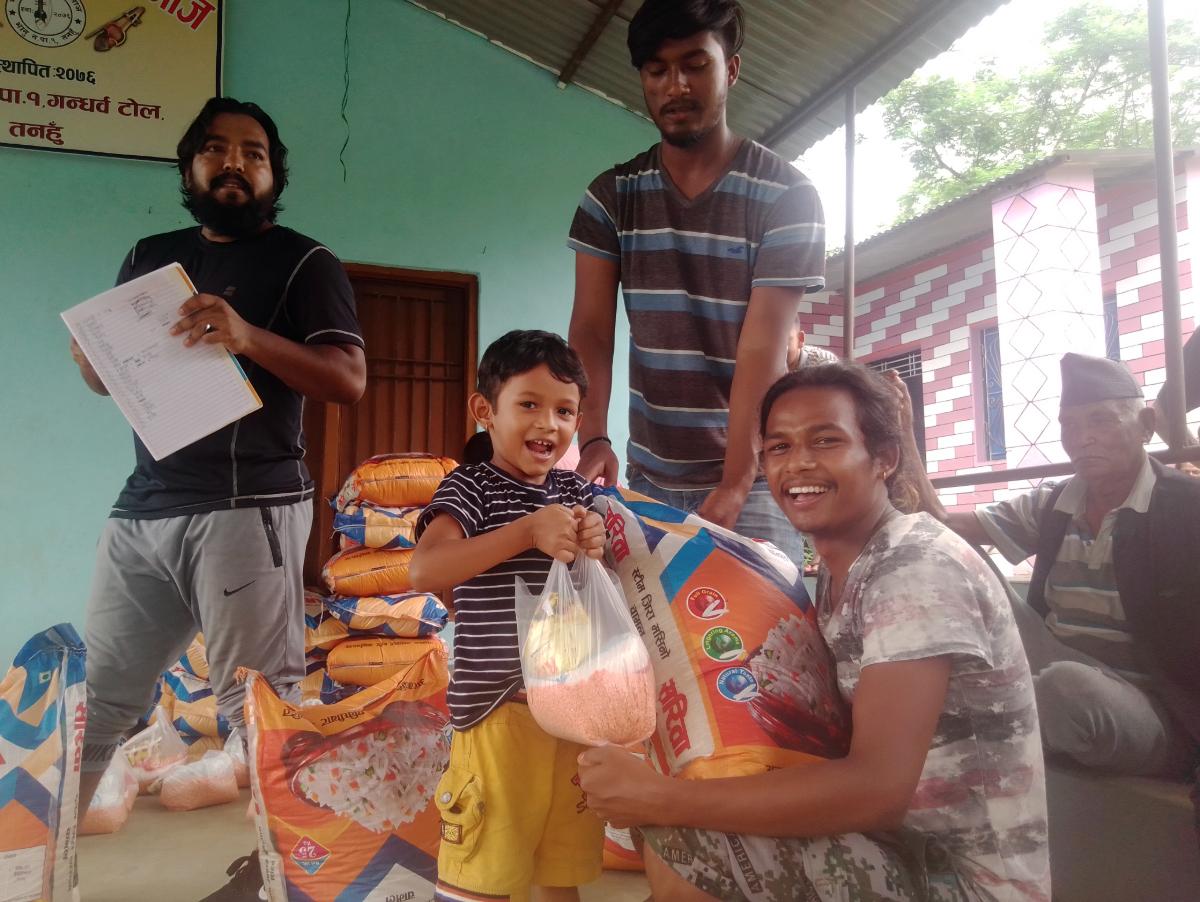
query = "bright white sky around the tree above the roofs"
{"x": 883, "y": 173}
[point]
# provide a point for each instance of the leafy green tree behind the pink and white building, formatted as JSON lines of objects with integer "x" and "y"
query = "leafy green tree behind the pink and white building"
{"x": 1094, "y": 91}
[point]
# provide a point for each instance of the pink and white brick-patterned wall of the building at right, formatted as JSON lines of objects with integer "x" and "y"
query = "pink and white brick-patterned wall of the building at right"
{"x": 940, "y": 304}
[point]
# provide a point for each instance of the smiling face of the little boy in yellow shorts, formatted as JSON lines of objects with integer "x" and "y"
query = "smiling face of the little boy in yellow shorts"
{"x": 532, "y": 423}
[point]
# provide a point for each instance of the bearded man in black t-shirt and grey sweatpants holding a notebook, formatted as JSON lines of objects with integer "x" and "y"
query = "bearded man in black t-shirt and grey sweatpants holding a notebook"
{"x": 213, "y": 537}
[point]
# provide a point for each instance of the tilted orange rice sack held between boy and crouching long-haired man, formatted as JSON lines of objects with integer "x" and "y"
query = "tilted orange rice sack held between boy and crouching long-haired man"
{"x": 745, "y": 681}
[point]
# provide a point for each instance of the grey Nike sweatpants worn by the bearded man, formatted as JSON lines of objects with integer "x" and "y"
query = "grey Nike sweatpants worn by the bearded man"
{"x": 235, "y": 575}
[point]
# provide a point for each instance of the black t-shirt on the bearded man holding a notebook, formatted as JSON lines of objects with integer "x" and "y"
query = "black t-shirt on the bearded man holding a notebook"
{"x": 280, "y": 281}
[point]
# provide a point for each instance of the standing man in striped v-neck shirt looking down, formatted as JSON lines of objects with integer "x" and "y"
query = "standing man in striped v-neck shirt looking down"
{"x": 715, "y": 242}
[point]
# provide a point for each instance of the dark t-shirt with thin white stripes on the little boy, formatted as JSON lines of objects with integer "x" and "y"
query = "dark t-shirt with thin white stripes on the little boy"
{"x": 487, "y": 659}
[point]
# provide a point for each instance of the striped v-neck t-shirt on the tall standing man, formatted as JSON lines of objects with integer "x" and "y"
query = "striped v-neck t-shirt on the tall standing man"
{"x": 687, "y": 270}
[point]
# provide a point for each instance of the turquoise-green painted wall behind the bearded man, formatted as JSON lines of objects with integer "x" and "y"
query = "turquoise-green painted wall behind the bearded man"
{"x": 463, "y": 158}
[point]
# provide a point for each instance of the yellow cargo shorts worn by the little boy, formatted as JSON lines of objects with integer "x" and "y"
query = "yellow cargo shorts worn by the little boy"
{"x": 513, "y": 813}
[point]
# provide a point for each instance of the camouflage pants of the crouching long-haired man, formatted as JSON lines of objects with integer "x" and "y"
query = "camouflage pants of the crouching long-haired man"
{"x": 831, "y": 869}
